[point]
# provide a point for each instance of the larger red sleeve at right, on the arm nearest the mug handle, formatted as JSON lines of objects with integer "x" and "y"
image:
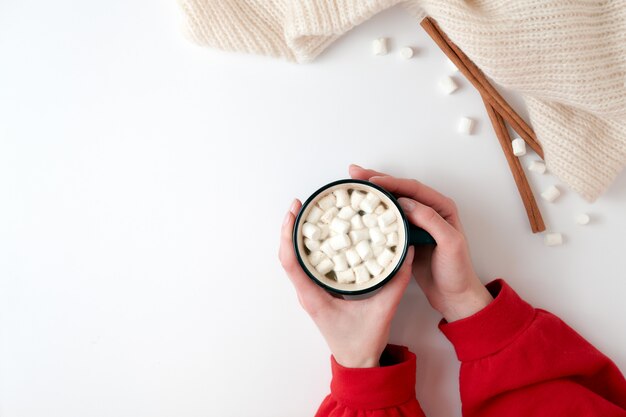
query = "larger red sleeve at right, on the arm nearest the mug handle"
{"x": 521, "y": 361}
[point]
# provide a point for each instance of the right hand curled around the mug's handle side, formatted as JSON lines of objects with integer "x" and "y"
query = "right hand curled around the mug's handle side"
{"x": 445, "y": 272}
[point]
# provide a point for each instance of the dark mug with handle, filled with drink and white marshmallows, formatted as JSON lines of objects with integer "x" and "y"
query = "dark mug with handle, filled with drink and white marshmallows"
{"x": 397, "y": 246}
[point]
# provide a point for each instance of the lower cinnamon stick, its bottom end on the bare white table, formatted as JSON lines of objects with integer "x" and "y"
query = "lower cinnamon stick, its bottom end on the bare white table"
{"x": 530, "y": 204}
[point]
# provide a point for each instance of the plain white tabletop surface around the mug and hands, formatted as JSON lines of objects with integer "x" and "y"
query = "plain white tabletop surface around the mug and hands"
{"x": 143, "y": 181}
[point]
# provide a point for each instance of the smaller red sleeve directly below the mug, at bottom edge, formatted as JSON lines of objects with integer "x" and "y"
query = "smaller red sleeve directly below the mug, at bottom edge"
{"x": 388, "y": 390}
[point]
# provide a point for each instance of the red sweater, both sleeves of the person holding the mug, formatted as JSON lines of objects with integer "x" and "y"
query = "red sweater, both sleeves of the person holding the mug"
{"x": 515, "y": 361}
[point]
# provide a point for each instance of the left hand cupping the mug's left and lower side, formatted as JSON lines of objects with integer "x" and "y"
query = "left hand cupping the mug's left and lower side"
{"x": 356, "y": 330}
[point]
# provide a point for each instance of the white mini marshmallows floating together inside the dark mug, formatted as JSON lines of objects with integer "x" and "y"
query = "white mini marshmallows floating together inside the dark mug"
{"x": 363, "y": 240}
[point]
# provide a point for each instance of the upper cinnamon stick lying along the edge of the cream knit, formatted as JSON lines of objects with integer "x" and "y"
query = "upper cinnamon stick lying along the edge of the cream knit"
{"x": 480, "y": 82}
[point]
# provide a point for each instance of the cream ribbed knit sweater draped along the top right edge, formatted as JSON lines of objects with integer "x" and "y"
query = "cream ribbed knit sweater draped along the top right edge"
{"x": 567, "y": 58}
